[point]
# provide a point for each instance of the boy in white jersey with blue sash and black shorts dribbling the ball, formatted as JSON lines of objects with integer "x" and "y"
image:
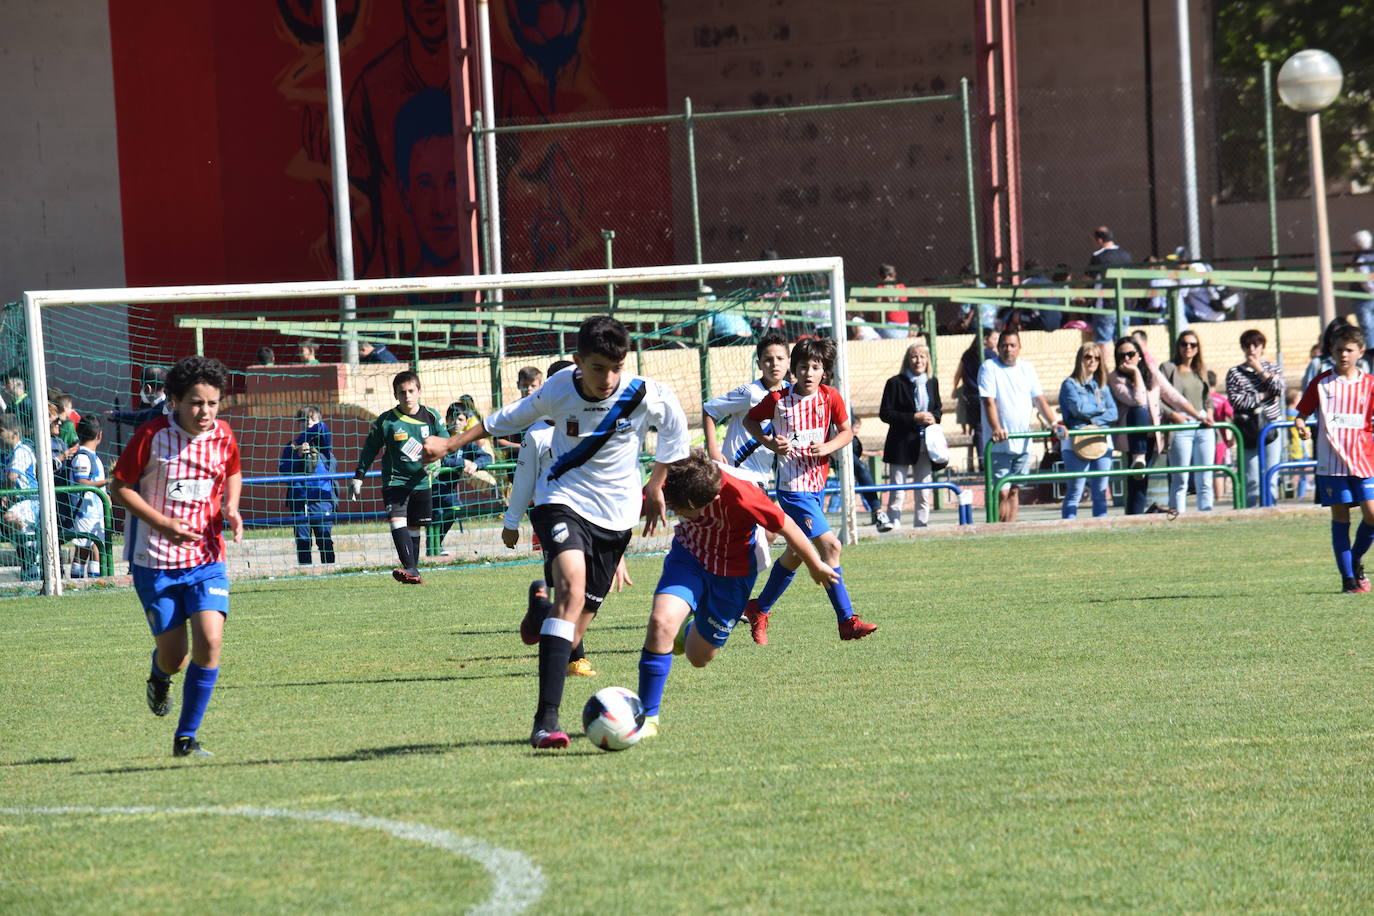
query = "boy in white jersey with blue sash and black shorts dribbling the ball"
{"x": 589, "y": 502}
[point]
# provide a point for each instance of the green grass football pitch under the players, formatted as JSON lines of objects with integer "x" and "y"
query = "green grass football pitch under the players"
{"x": 1166, "y": 719}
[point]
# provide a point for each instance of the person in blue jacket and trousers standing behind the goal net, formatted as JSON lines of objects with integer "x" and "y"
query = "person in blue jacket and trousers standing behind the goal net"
{"x": 310, "y": 499}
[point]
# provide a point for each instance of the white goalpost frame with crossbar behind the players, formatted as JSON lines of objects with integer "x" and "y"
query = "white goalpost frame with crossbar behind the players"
{"x": 828, "y": 268}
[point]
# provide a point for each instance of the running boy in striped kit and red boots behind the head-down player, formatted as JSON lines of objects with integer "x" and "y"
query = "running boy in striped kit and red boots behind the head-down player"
{"x": 802, "y": 420}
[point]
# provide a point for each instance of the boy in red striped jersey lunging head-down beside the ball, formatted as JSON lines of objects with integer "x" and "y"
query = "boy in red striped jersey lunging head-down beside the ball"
{"x": 711, "y": 568}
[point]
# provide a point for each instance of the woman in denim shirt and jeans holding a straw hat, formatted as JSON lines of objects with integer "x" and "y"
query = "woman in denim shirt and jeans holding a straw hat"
{"x": 1085, "y": 403}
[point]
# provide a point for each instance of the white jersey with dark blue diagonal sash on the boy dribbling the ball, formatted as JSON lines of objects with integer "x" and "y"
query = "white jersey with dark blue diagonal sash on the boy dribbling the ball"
{"x": 594, "y": 469}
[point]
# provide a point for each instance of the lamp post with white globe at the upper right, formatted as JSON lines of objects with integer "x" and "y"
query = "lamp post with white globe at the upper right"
{"x": 1309, "y": 82}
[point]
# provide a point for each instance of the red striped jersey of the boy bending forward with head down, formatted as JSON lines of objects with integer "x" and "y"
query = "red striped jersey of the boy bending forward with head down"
{"x": 723, "y": 538}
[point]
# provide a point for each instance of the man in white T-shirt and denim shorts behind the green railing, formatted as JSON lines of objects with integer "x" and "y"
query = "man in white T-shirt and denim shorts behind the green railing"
{"x": 1011, "y": 393}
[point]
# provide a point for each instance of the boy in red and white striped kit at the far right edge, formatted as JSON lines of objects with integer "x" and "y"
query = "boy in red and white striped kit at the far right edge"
{"x": 1343, "y": 400}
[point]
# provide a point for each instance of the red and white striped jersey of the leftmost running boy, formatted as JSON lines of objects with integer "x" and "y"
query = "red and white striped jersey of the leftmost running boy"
{"x": 181, "y": 476}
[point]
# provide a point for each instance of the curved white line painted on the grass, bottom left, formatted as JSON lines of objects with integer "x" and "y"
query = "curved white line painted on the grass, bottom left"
{"x": 517, "y": 882}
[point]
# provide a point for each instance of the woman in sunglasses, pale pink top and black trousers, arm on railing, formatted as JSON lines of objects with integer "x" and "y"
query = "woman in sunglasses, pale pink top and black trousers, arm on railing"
{"x": 1140, "y": 395}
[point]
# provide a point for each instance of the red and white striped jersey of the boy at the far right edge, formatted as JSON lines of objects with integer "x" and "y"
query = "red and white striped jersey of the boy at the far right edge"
{"x": 1346, "y": 436}
